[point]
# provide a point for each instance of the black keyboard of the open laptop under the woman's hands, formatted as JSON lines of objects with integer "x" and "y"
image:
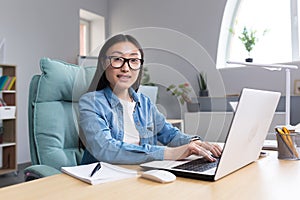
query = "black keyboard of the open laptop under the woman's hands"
{"x": 198, "y": 165}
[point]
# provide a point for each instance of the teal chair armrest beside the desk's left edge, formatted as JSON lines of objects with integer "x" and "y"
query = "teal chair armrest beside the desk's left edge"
{"x": 39, "y": 171}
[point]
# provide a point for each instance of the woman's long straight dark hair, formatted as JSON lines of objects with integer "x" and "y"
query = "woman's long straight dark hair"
{"x": 100, "y": 81}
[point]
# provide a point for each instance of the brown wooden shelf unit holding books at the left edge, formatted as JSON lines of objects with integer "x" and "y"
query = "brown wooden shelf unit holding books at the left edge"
{"x": 9, "y": 143}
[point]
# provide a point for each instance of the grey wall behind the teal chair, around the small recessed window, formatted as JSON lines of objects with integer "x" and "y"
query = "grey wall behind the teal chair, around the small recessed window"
{"x": 35, "y": 29}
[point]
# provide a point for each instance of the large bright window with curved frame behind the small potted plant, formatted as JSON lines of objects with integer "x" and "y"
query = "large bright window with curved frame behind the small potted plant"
{"x": 279, "y": 18}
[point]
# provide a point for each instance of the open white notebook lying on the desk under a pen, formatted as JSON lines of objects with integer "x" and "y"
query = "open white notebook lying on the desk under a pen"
{"x": 106, "y": 173}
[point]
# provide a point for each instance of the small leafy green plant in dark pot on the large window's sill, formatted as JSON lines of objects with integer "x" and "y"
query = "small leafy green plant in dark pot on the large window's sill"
{"x": 249, "y": 39}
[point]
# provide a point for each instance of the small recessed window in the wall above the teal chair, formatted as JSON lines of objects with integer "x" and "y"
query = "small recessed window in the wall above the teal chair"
{"x": 91, "y": 32}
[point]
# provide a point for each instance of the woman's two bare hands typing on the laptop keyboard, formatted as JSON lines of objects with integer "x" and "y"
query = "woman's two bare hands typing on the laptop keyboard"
{"x": 197, "y": 147}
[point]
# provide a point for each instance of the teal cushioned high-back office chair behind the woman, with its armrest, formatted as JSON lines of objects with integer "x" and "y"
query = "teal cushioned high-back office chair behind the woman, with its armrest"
{"x": 52, "y": 116}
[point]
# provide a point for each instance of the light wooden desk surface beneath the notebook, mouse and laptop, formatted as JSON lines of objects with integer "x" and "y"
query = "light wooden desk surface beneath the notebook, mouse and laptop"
{"x": 267, "y": 178}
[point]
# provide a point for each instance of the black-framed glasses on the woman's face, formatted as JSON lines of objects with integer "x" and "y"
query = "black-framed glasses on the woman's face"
{"x": 118, "y": 62}
